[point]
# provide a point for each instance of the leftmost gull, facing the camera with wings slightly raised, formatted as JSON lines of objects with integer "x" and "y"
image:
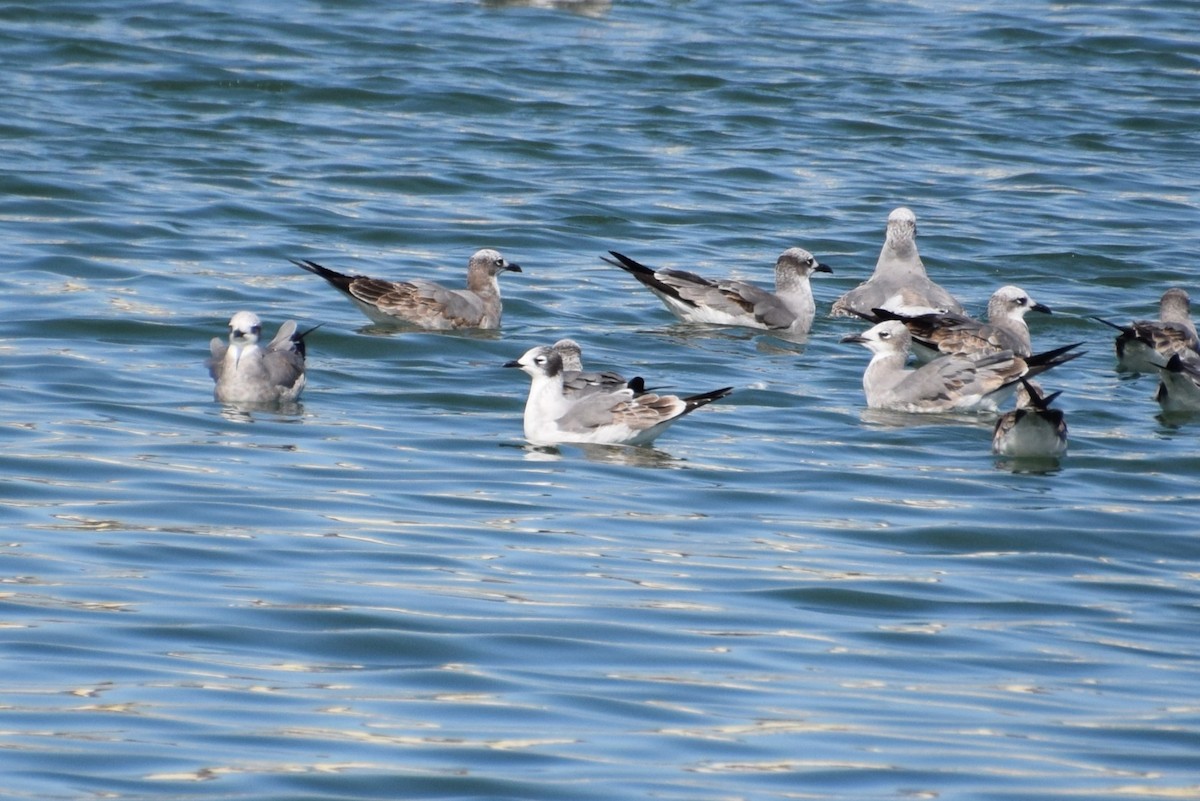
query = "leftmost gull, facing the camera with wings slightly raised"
{"x": 245, "y": 372}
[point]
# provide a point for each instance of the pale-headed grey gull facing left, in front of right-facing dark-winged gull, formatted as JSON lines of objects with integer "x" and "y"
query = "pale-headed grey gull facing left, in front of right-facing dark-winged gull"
{"x": 949, "y": 384}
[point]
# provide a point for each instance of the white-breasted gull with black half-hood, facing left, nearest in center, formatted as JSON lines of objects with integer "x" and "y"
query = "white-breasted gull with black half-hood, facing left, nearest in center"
{"x": 617, "y": 418}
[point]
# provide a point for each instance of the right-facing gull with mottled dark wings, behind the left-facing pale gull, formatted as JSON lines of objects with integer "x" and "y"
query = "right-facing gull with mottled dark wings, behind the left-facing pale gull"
{"x": 938, "y": 334}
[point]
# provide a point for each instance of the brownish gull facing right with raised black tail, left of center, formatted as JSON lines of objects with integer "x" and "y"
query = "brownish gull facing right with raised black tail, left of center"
{"x": 424, "y": 304}
